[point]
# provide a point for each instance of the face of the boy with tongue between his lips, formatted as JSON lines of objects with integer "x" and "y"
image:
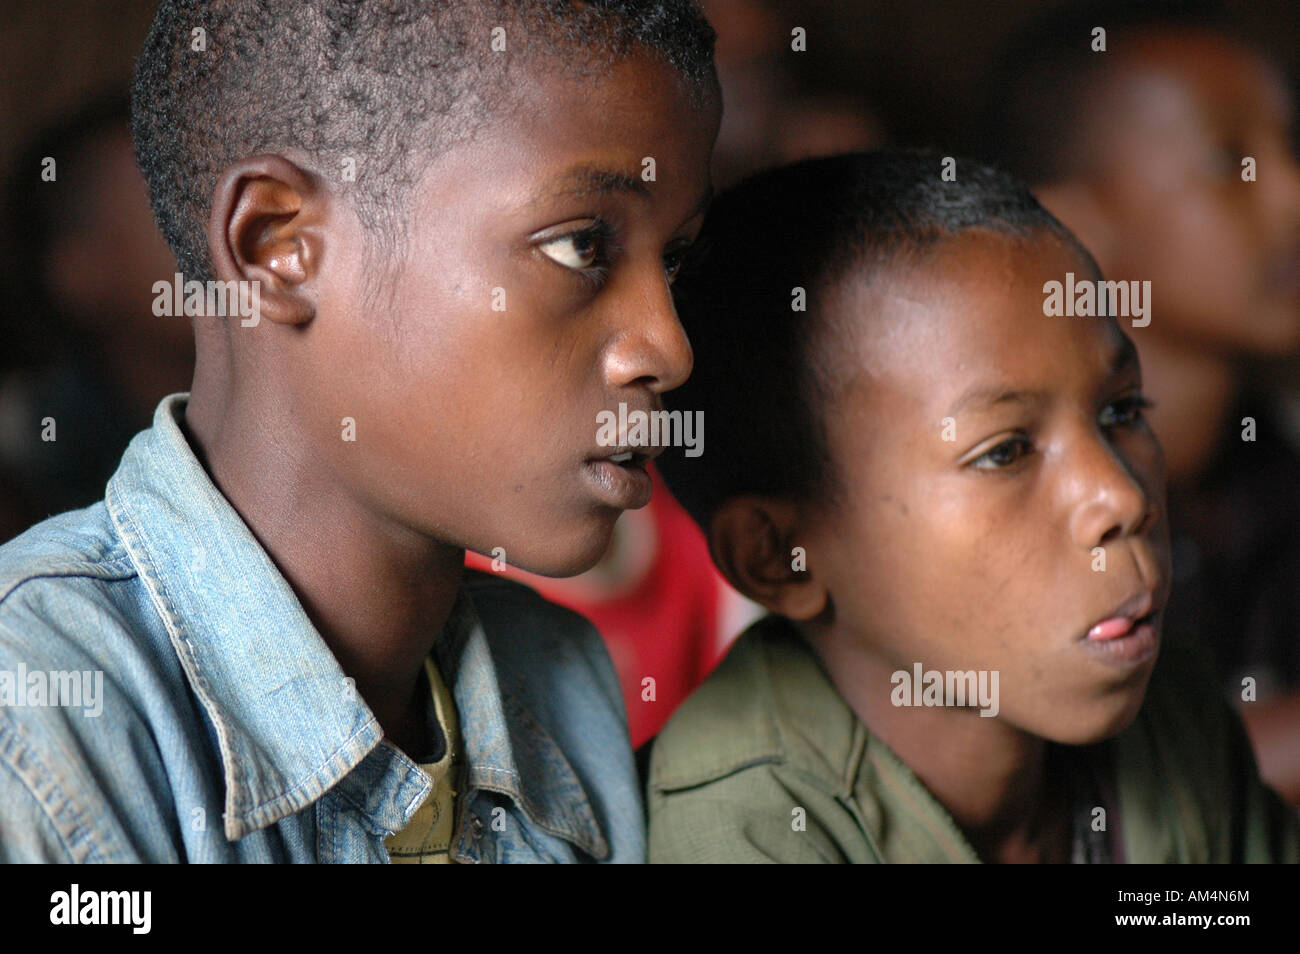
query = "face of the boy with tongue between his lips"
{"x": 982, "y": 552}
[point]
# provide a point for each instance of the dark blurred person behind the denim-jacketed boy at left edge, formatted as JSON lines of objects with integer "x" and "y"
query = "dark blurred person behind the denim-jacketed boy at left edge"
{"x": 89, "y": 361}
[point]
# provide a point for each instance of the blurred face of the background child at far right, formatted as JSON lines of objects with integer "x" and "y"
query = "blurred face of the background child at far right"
{"x": 1223, "y": 254}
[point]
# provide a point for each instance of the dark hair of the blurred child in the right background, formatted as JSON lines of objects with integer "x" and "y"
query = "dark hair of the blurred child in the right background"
{"x": 1035, "y": 115}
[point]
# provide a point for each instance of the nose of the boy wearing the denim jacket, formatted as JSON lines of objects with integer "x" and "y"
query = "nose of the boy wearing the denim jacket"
{"x": 651, "y": 348}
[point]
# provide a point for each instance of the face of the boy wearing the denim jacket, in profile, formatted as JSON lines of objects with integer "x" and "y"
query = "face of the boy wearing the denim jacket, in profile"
{"x": 534, "y": 294}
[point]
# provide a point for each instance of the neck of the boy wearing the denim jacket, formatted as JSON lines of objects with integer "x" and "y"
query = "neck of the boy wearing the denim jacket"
{"x": 379, "y": 595}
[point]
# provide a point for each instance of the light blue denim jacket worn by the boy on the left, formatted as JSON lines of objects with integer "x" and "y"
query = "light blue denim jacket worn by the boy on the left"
{"x": 227, "y": 731}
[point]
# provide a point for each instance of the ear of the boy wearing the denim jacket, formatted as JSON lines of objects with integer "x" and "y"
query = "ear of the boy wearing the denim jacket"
{"x": 266, "y": 213}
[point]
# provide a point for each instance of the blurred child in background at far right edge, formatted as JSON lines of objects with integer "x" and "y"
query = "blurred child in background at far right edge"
{"x": 1171, "y": 157}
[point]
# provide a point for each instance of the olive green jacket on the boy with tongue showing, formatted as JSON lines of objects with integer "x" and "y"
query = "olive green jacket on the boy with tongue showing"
{"x": 768, "y": 735}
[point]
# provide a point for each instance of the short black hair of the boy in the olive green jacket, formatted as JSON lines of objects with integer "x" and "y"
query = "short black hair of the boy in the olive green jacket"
{"x": 759, "y": 372}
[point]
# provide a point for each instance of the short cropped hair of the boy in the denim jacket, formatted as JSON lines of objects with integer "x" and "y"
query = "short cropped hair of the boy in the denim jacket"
{"x": 388, "y": 84}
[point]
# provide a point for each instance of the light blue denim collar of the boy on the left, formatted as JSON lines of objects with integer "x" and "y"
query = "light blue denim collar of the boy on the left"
{"x": 289, "y": 725}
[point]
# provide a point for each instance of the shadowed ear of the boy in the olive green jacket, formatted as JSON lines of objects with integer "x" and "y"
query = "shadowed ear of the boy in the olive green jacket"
{"x": 755, "y": 543}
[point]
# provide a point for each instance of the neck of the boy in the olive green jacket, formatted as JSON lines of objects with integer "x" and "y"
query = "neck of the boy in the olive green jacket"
{"x": 989, "y": 775}
